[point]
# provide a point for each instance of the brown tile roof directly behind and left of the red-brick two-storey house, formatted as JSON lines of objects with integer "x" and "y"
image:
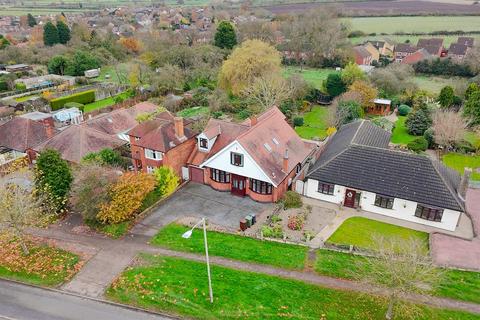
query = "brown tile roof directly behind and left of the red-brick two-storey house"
{"x": 121, "y": 120}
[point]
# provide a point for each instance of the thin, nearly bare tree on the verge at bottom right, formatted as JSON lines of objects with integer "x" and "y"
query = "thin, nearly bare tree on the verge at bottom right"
{"x": 400, "y": 267}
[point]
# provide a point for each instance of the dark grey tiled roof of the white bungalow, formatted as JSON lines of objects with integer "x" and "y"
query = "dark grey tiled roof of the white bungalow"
{"x": 361, "y": 160}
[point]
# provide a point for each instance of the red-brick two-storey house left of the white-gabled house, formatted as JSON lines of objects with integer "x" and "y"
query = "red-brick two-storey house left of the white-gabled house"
{"x": 163, "y": 141}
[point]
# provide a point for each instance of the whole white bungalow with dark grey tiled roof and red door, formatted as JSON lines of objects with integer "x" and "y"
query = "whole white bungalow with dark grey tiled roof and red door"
{"x": 356, "y": 169}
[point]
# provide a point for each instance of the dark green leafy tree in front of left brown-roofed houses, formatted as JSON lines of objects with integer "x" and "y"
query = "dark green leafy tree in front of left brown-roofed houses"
{"x": 53, "y": 178}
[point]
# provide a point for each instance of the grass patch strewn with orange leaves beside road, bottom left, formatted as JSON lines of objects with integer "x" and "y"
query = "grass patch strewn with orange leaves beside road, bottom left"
{"x": 44, "y": 266}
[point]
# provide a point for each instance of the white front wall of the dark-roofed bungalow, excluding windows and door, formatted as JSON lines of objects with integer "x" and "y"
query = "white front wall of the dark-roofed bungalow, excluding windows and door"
{"x": 402, "y": 209}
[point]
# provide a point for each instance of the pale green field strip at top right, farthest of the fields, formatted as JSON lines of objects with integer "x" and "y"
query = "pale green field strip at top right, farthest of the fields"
{"x": 391, "y": 25}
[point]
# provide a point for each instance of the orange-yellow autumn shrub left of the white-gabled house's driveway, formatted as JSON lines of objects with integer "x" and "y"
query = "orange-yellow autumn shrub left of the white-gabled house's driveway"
{"x": 126, "y": 197}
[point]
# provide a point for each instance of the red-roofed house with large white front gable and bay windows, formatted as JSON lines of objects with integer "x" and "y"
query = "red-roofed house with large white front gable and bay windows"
{"x": 260, "y": 158}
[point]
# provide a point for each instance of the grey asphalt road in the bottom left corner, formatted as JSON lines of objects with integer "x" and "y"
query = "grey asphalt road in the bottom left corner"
{"x": 20, "y": 302}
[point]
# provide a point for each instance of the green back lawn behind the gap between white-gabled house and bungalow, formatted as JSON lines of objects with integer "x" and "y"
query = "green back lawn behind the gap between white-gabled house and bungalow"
{"x": 314, "y": 124}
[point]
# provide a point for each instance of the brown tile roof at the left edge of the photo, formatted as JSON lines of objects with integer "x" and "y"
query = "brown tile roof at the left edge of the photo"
{"x": 21, "y": 134}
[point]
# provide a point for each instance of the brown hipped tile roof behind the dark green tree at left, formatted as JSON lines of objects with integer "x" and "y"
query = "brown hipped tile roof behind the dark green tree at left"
{"x": 76, "y": 141}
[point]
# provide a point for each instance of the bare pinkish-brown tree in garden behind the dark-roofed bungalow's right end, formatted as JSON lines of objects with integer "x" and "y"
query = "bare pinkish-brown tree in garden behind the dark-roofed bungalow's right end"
{"x": 449, "y": 127}
